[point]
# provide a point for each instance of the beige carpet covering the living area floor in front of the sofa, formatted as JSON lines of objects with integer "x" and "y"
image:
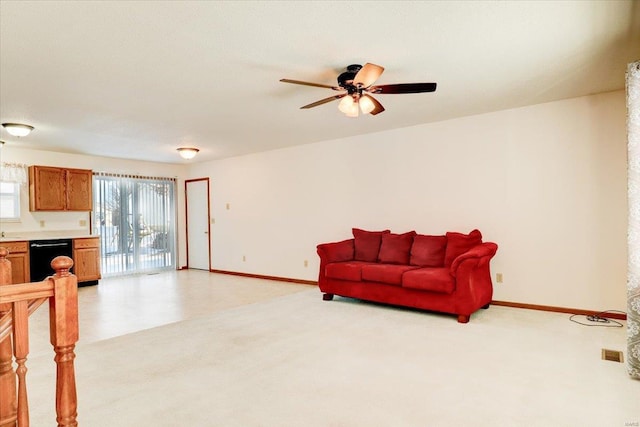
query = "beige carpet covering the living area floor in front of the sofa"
{"x": 296, "y": 360}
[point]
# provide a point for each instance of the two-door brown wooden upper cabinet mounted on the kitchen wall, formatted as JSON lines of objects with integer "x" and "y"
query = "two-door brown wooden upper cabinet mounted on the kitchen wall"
{"x": 60, "y": 189}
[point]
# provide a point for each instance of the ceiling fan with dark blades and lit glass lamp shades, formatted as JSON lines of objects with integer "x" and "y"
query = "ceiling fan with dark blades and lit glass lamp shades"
{"x": 356, "y": 85}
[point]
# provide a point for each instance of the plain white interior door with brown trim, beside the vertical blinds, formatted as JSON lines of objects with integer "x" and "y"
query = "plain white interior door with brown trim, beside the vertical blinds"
{"x": 197, "y": 209}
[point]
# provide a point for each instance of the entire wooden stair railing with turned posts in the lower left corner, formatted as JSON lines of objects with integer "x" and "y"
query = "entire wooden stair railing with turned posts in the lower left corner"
{"x": 17, "y": 301}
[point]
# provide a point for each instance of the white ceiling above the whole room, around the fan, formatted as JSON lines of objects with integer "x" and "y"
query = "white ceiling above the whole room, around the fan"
{"x": 138, "y": 79}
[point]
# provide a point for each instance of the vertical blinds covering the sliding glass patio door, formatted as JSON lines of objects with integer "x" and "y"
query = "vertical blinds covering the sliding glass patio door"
{"x": 135, "y": 218}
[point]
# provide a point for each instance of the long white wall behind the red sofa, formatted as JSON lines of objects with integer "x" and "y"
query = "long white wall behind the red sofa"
{"x": 545, "y": 182}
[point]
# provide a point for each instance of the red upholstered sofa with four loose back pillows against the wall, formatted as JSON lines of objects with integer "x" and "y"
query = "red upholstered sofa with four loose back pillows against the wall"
{"x": 447, "y": 273}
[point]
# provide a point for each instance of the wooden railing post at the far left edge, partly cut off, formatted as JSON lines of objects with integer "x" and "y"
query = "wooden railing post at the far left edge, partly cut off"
{"x": 8, "y": 399}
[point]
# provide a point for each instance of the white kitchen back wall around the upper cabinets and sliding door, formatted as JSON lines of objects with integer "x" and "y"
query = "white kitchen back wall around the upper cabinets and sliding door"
{"x": 70, "y": 221}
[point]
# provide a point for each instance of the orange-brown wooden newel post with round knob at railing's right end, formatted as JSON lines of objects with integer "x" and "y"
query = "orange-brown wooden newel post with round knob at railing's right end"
{"x": 63, "y": 326}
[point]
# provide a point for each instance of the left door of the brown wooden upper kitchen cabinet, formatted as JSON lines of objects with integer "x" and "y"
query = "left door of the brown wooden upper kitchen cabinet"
{"x": 46, "y": 188}
